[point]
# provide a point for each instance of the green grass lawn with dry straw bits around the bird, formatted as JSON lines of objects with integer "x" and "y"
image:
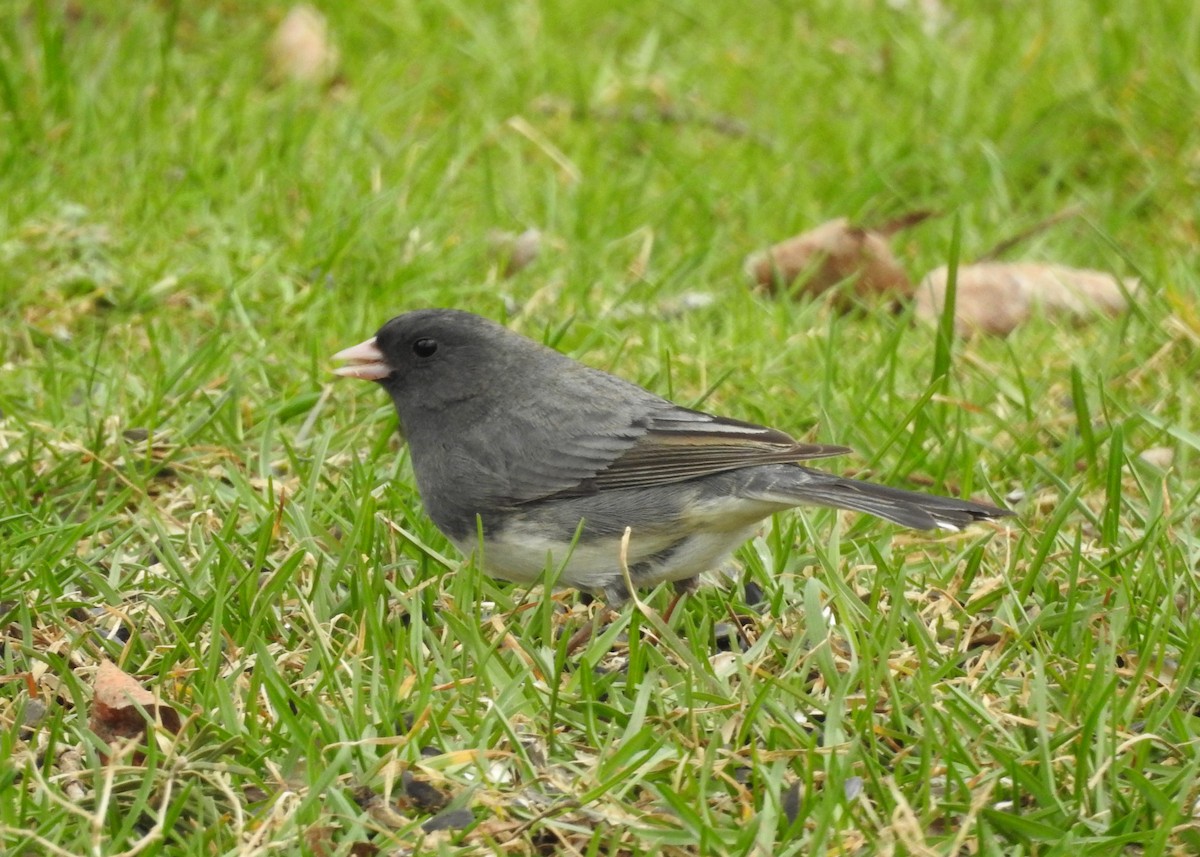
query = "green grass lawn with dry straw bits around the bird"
{"x": 183, "y": 245}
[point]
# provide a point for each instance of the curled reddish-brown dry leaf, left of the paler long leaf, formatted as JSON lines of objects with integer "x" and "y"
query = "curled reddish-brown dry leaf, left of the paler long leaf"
{"x": 831, "y": 254}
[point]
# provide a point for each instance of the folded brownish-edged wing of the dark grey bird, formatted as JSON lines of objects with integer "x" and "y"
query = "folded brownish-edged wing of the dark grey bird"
{"x": 680, "y": 445}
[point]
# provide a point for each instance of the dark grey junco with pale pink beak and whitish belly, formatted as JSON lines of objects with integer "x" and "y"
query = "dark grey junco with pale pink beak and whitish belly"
{"x": 555, "y": 460}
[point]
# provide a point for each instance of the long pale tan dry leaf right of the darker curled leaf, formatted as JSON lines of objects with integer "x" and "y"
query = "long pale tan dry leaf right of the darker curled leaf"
{"x": 995, "y": 297}
